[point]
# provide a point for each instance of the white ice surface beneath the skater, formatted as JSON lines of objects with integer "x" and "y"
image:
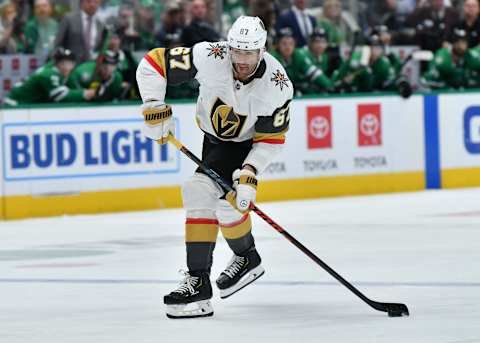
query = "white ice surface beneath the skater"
{"x": 101, "y": 278}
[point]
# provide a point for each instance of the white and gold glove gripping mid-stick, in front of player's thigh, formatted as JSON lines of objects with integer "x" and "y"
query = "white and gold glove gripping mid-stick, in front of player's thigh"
{"x": 245, "y": 184}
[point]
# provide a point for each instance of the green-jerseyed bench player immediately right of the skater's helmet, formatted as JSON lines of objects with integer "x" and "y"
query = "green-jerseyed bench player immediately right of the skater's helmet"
{"x": 304, "y": 73}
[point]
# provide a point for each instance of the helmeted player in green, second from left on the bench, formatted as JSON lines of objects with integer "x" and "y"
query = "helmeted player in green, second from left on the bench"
{"x": 102, "y": 77}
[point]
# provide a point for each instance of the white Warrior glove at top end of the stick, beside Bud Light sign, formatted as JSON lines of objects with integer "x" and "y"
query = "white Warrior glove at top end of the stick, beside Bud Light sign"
{"x": 158, "y": 121}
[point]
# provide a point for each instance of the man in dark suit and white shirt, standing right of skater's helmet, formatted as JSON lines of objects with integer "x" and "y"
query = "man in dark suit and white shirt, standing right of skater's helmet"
{"x": 300, "y": 23}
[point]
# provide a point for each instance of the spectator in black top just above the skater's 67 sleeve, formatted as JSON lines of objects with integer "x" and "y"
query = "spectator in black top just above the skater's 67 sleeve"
{"x": 199, "y": 29}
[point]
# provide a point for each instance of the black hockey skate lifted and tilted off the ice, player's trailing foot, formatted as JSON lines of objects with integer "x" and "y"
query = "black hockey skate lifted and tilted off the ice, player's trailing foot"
{"x": 241, "y": 271}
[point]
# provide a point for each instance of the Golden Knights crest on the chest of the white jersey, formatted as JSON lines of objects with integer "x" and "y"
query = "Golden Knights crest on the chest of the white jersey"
{"x": 225, "y": 121}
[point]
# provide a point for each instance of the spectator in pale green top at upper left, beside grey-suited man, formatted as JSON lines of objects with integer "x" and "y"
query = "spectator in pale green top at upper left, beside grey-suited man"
{"x": 41, "y": 30}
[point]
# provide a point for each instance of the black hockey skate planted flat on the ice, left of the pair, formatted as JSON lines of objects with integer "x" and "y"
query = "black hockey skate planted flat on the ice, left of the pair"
{"x": 191, "y": 298}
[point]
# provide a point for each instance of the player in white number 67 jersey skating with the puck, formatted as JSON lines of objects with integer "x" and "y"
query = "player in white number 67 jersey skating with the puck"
{"x": 242, "y": 110}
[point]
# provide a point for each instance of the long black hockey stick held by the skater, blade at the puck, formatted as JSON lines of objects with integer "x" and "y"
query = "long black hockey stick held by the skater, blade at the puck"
{"x": 393, "y": 309}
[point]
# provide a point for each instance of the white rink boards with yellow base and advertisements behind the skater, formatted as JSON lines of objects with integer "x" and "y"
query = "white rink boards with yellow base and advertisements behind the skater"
{"x": 88, "y": 159}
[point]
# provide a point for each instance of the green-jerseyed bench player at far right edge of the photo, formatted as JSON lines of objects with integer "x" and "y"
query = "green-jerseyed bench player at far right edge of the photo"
{"x": 457, "y": 67}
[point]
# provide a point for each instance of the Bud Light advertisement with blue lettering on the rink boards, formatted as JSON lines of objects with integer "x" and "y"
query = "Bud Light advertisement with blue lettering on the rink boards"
{"x": 72, "y": 149}
